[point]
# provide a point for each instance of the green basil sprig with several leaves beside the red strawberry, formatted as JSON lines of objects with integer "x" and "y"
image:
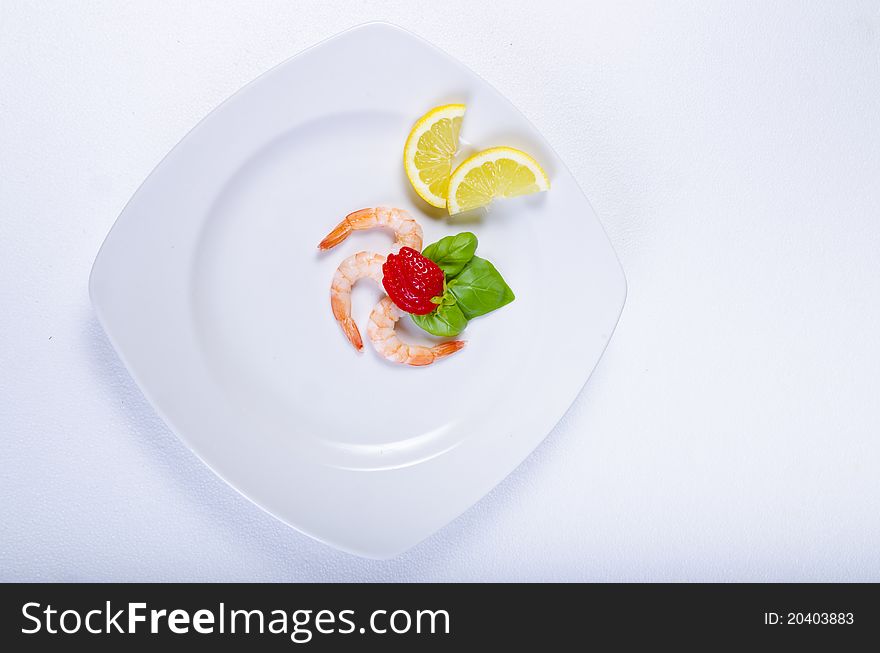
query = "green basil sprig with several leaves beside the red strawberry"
{"x": 472, "y": 286}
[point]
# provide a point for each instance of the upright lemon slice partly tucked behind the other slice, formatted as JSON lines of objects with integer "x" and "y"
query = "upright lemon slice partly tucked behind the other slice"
{"x": 429, "y": 149}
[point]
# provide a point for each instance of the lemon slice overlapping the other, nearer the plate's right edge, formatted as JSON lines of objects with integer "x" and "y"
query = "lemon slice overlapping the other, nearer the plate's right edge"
{"x": 494, "y": 173}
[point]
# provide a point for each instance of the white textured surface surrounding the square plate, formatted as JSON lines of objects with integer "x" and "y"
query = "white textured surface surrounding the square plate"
{"x": 732, "y": 430}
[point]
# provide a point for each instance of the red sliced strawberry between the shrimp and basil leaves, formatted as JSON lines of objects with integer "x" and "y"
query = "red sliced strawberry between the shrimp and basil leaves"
{"x": 411, "y": 280}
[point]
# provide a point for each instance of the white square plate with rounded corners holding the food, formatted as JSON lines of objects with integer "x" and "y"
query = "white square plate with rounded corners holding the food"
{"x": 211, "y": 289}
